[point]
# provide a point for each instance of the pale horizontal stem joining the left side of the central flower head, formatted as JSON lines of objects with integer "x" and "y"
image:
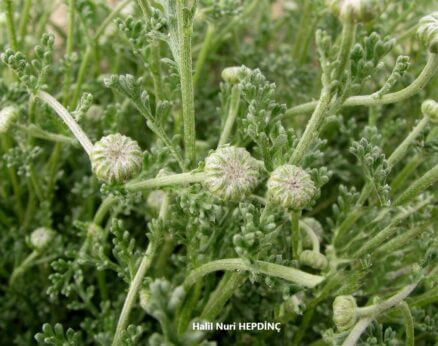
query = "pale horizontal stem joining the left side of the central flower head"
{"x": 175, "y": 179}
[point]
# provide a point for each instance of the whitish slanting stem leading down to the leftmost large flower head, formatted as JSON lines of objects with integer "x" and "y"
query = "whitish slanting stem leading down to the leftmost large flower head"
{"x": 68, "y": 119}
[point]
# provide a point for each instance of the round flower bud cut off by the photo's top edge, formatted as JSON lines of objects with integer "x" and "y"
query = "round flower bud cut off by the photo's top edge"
{"x": 355, "y": 10}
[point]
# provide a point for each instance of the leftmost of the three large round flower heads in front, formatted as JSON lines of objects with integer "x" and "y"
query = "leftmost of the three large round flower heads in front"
{"x": 116, "y": 158}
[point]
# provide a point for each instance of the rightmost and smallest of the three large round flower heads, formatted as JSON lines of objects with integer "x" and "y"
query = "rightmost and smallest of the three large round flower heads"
{"x": 291, "y": 187}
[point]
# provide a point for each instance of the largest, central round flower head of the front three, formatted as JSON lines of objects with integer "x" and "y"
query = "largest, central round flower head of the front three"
{"x": 231, "y": 173}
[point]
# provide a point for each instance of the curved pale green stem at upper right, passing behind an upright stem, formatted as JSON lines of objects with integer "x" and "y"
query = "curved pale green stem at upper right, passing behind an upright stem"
{"x": 371, "y": 100}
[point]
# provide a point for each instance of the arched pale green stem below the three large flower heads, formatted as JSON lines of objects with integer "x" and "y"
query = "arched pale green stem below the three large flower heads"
{"x": 290, "y": 274}
